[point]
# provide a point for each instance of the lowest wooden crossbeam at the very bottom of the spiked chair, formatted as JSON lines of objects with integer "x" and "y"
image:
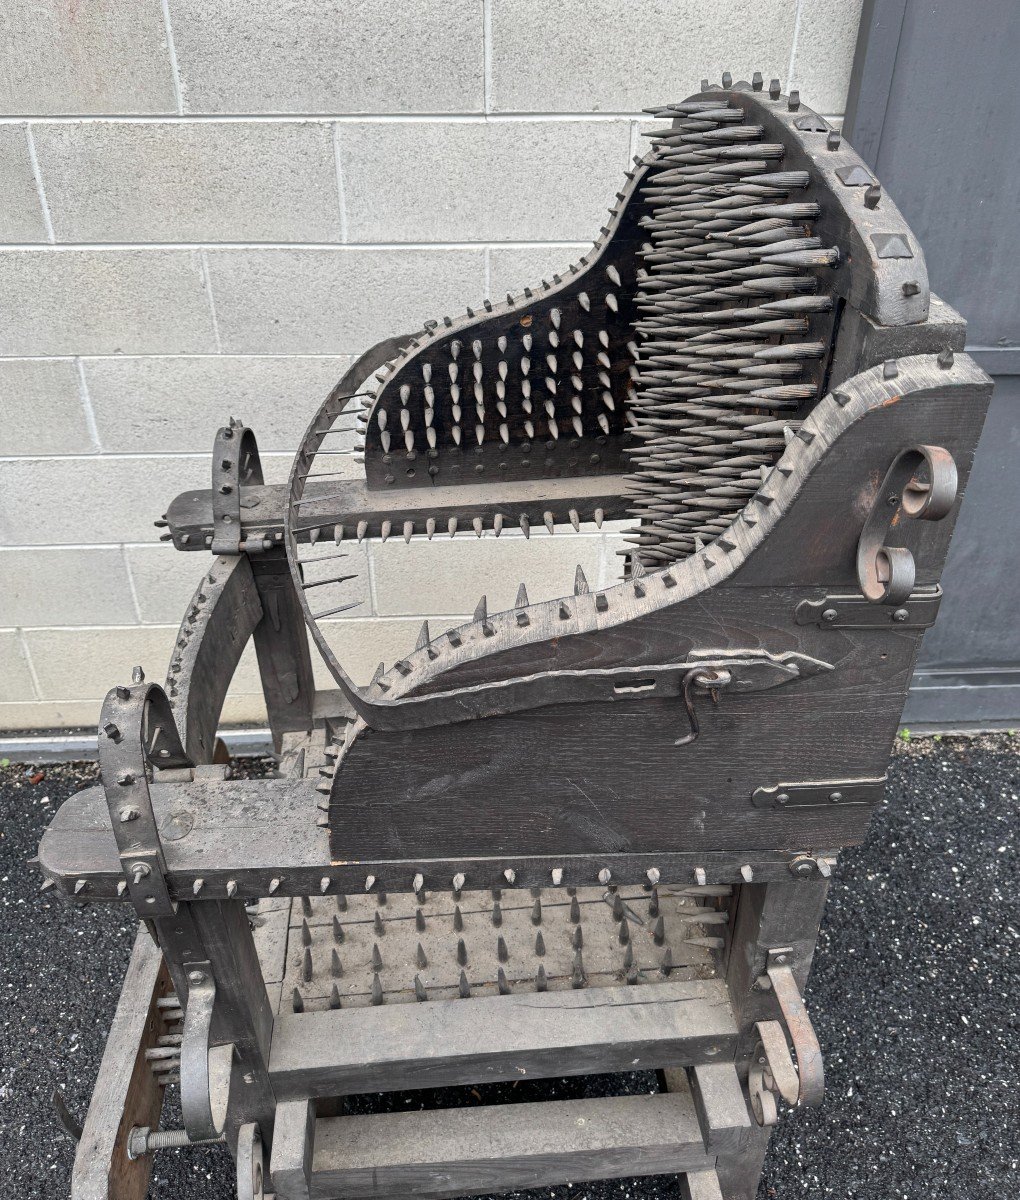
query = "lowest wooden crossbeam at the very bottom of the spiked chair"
{"x": 500, "y": 1148}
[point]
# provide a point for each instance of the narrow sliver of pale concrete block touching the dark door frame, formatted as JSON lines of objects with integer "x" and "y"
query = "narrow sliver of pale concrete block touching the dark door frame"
{"x": 826, "y": 41}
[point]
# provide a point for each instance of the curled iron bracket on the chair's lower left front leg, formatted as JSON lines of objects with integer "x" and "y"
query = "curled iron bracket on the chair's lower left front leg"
{"x": 206, "y": 1071}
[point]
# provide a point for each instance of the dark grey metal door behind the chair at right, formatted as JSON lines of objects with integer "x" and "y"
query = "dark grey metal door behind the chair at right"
{"x": 935, "y": 109}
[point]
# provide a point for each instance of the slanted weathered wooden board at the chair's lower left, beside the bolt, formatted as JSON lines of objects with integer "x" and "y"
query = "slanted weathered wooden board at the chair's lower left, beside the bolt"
{"x": 127, "y": 1093}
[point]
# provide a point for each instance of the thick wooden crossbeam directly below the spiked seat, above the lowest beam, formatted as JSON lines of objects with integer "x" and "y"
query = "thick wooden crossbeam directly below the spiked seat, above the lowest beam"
{"x": 451, "y": 1042}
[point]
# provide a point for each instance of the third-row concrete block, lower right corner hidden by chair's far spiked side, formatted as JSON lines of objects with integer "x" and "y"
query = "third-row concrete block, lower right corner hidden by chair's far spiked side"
{"x": 337, "y": 302}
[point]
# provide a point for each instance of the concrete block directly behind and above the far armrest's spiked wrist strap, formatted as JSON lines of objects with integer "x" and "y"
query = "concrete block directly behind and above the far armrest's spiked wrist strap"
{"x": 152, "y": 405}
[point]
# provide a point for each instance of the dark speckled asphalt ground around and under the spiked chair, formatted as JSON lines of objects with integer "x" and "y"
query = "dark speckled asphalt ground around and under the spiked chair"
{"x": 916, "y": 995}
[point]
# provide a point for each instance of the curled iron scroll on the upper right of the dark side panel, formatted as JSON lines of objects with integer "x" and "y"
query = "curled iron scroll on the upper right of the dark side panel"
{"x": 921, "y": 484}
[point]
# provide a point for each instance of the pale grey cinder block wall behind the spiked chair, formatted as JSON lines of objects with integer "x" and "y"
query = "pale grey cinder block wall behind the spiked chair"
{"x": 211, "y": 207}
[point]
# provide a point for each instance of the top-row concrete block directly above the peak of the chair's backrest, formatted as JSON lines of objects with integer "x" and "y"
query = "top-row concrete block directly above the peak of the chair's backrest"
{"x": 623, "y": 58}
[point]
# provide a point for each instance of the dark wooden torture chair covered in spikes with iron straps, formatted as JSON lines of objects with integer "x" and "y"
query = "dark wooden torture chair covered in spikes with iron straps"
{"x": 587, "y": 835}
